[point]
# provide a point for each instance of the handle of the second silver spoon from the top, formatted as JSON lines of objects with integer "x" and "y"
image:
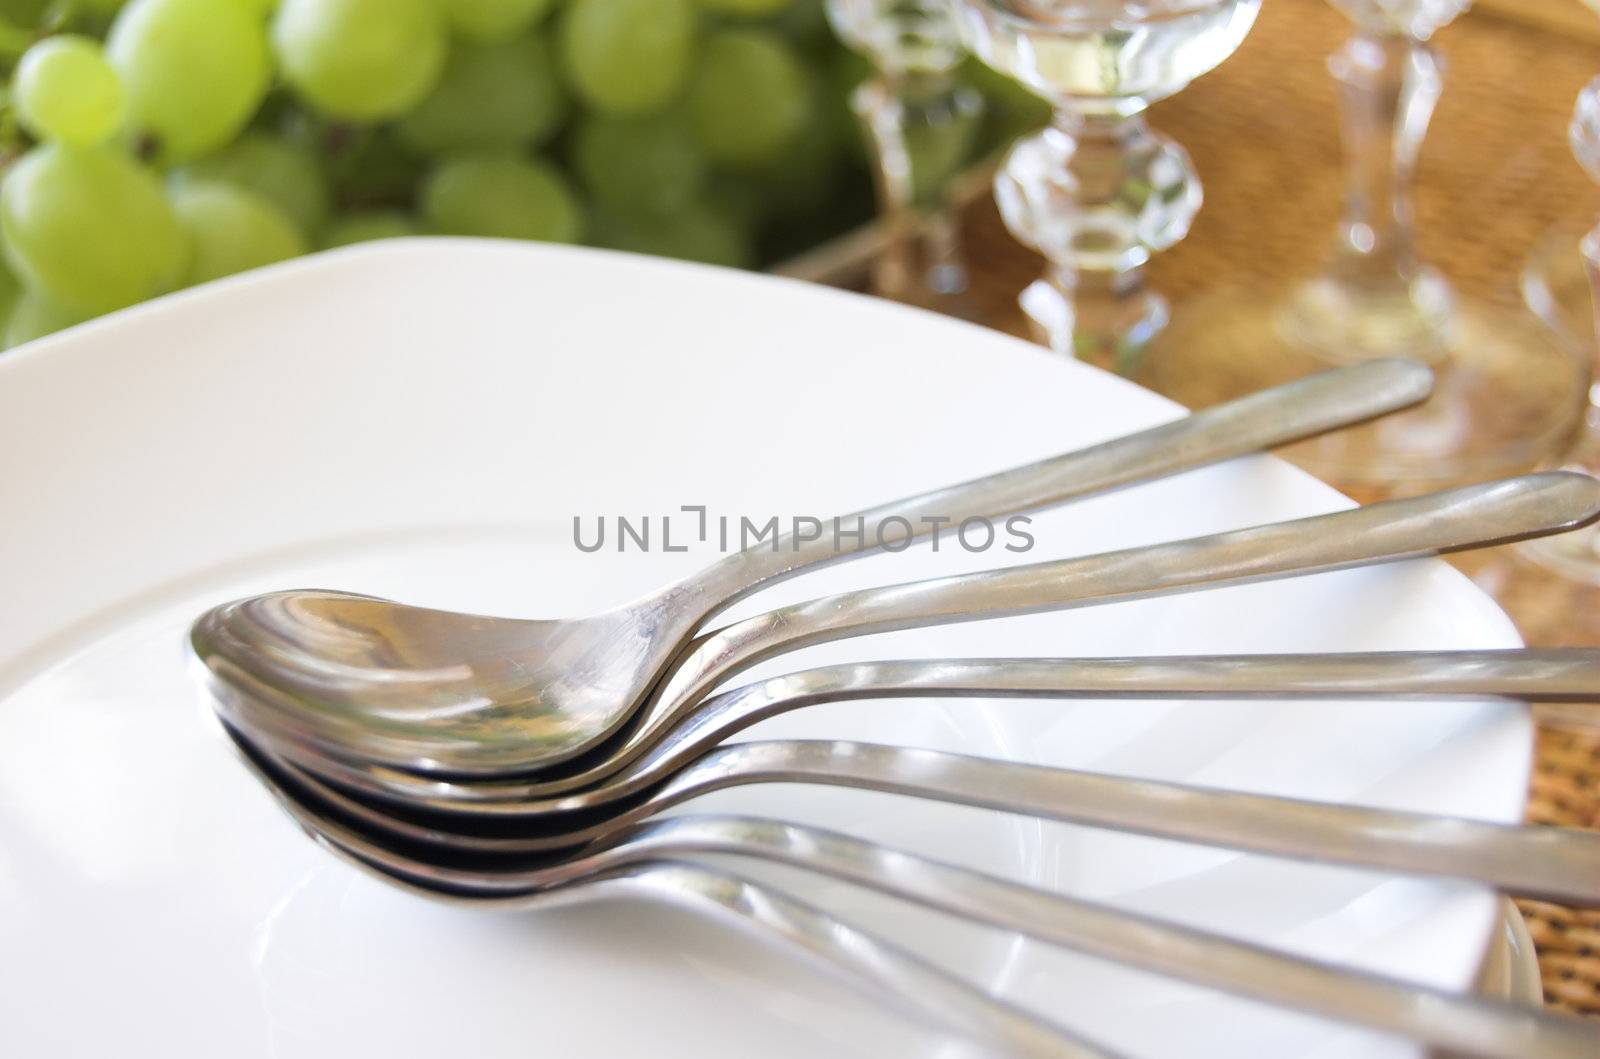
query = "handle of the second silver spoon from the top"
{"x": 1474, "y": 516}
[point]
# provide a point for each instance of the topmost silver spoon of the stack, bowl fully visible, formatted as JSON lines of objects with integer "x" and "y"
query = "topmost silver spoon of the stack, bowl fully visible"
{"x": 551, "y": 690}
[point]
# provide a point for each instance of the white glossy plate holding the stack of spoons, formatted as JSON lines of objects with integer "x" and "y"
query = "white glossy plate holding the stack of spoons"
{"x": 423, "y": 420}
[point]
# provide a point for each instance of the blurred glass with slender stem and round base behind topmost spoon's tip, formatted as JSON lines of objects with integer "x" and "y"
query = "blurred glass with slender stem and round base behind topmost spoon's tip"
{"x": 1508, "y": 391}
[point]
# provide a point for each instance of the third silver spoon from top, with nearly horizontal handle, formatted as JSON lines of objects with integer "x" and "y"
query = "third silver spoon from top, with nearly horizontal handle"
{"x": 1532, "y": 676}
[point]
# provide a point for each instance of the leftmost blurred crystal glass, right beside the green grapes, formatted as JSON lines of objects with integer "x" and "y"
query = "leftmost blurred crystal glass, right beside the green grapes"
{"x": 921, "y": 124}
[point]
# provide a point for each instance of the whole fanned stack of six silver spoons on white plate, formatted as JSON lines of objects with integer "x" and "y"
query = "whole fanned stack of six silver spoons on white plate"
{"x": 500, "y": 761}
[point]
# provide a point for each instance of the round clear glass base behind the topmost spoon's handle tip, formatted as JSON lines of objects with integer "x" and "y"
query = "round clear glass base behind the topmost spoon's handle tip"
{"x": 1506, "y": 396}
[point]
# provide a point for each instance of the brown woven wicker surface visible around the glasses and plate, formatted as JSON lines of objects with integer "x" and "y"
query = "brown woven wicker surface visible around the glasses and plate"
{"x": 1495, "y": 178}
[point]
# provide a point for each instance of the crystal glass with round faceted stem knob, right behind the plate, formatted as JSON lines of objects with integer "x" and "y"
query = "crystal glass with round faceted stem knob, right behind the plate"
{"x": 1098, "y": 191}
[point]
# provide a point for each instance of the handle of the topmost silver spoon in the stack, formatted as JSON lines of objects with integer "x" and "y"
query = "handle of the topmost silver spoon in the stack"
{"x": 1260, "y": 422}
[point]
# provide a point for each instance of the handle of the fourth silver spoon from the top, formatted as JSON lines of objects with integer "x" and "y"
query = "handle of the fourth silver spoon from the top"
{"x": 1546, "y": 863}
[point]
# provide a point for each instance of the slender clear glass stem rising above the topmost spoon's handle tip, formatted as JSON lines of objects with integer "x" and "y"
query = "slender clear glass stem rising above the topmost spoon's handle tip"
{"x": 1377, "y": 298}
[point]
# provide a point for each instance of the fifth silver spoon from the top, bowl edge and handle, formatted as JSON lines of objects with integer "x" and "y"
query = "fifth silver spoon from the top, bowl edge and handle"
{"x": 1458, "y": 1023}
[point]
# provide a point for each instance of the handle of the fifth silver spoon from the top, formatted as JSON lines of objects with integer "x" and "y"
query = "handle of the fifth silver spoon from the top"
{"x": 1457, "y": 1023}
